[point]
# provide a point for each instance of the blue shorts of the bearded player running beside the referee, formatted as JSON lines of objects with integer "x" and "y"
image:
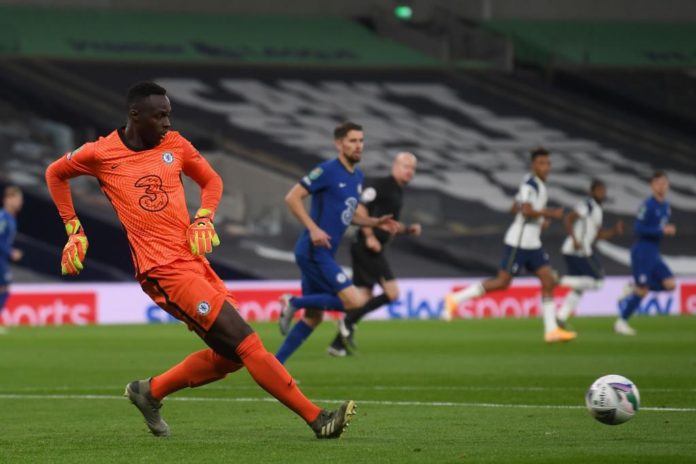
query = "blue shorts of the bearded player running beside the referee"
{"x": 321, "y": 273}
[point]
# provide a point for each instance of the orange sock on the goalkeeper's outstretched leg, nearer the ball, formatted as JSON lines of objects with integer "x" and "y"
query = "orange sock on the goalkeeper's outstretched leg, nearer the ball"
{"x": 274, "y": 378}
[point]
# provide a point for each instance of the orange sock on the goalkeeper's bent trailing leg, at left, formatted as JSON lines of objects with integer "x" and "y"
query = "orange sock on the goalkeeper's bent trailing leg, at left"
{"x": 197, "y": 369}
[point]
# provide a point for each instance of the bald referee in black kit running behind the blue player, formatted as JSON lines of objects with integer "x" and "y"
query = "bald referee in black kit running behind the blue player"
{"x": 380, "y": 196}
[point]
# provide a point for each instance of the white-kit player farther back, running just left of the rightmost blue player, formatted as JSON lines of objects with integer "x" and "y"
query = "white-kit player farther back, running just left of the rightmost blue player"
{"x": 584, "y": 228}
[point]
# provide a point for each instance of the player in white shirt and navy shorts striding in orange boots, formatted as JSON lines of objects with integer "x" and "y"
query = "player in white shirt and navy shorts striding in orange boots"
{"x": 523, "y": 249}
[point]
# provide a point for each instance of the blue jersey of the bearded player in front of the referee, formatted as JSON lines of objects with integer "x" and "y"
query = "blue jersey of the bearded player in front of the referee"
{"x": 335, "y": 194}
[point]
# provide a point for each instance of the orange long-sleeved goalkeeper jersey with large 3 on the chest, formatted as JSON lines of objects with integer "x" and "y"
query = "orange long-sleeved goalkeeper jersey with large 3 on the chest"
{"x": 145, "y": 189}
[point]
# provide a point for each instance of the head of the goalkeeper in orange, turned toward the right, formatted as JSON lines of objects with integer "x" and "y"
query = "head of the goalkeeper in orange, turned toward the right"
{"x": 148, "y": 112}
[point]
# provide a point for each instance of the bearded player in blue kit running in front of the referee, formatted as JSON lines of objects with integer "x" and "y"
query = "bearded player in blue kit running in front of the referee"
{"x": 335, "y": 187}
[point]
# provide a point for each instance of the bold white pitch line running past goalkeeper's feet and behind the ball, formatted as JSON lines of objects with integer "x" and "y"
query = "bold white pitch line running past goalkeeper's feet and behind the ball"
{"x": 14, "y": 396}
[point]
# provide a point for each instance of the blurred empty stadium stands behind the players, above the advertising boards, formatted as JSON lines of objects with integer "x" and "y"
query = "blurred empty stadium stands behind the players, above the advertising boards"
{"x": 469, "y": 86}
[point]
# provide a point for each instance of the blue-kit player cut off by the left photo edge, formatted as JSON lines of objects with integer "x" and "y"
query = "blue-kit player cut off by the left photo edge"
{"x": 12, "y": 204}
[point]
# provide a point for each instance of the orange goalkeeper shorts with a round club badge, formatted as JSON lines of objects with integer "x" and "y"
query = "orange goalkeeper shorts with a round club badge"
{"x": 188, "y": 290}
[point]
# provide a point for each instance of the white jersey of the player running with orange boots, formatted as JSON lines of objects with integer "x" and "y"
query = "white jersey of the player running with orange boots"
{"x": 526, "y": 233}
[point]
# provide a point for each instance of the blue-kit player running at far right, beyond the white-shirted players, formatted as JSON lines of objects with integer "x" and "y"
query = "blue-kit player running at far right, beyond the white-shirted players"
{"x": 649, "y": 270}
